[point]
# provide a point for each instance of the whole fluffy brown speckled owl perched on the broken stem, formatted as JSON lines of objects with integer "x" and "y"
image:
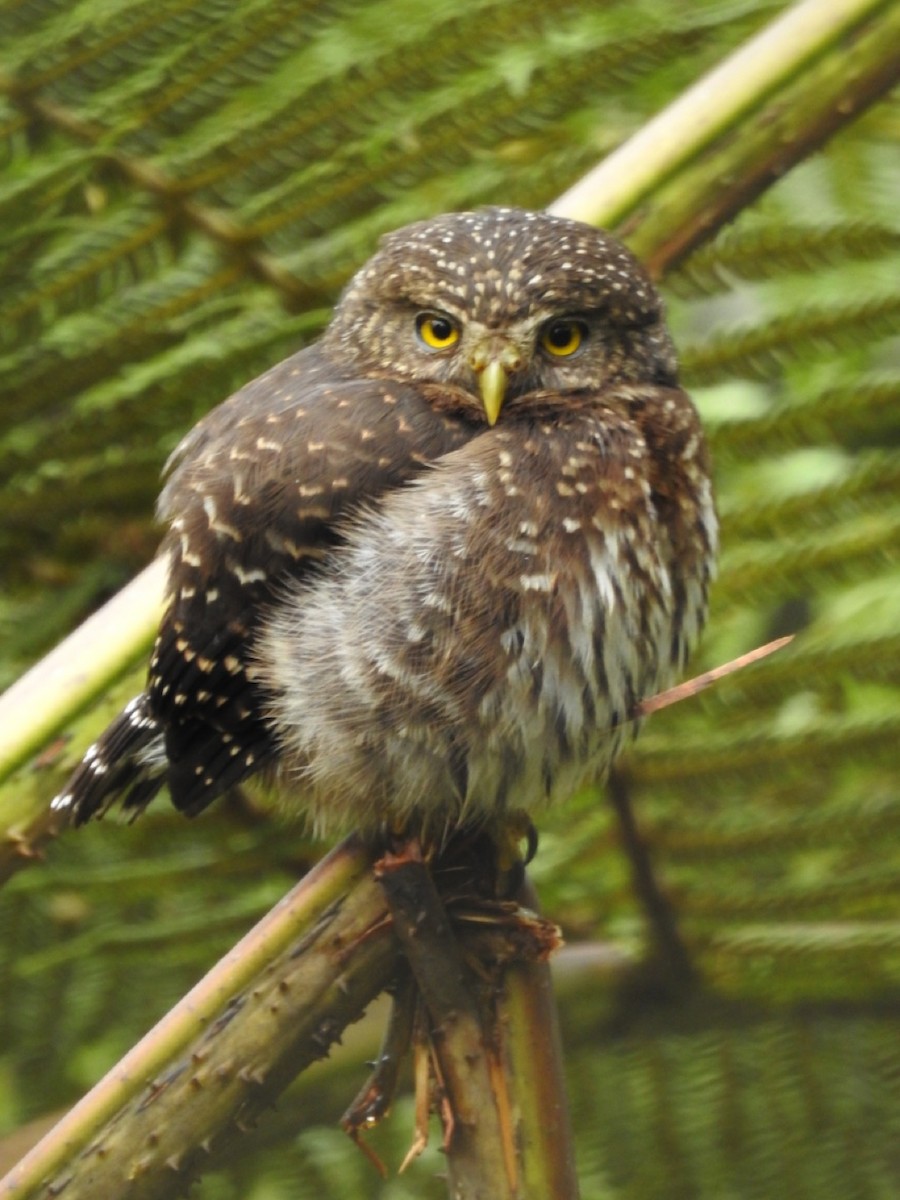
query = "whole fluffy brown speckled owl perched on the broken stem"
{"x": 425, "y": 568}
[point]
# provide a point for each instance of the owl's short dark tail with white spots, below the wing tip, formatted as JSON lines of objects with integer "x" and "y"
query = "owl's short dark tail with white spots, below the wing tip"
{"x": 127, "y": 764}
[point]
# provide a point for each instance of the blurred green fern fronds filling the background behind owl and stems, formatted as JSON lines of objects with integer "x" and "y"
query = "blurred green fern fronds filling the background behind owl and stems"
{"x": 184, "y": 189}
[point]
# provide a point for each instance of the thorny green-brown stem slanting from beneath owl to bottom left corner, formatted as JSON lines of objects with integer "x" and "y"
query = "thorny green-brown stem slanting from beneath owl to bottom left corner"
{"x": 271, "y": 1007}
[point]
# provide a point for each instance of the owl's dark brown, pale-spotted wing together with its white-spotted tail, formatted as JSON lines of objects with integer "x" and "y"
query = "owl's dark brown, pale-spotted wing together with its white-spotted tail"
{"x": 256, "y": 497}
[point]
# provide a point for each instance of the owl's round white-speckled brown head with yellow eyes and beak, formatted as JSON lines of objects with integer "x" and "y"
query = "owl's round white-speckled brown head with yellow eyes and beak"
{"x": 501, "y": 304}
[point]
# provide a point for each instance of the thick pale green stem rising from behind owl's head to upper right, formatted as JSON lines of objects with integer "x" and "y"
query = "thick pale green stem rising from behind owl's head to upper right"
{"x": 737, "y": 100}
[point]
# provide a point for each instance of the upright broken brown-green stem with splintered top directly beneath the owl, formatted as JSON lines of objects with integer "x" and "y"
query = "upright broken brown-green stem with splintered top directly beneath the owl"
{"x": 495, "y": 1039}
